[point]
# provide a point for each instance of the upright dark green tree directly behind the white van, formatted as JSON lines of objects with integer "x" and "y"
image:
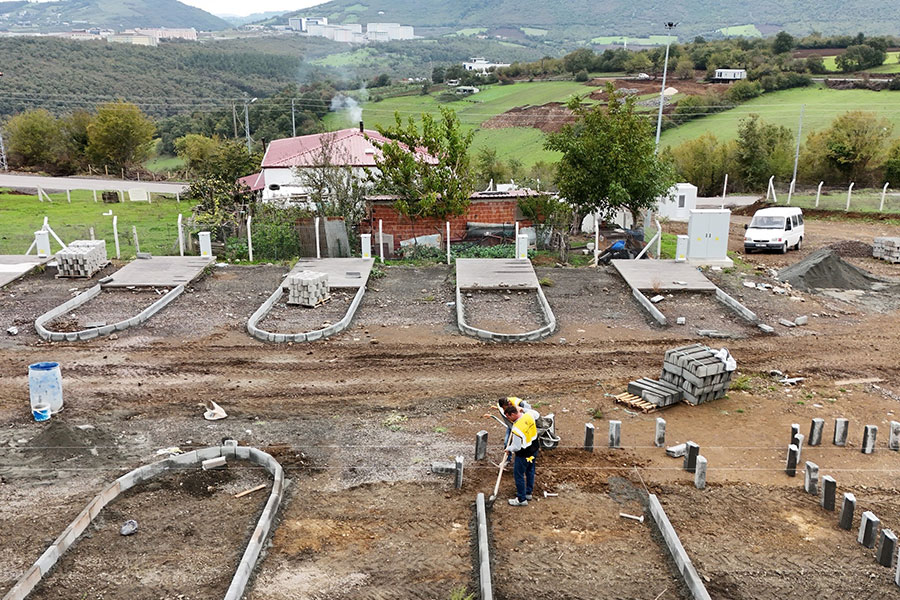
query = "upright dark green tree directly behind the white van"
{"x": 764, "y": 149}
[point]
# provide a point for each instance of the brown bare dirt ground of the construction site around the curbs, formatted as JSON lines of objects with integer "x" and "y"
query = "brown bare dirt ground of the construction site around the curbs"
{"x": 357, "y": 424}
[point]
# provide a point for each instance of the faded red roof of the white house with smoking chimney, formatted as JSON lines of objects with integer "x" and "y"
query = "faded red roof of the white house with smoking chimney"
{"x": 350, "y": 147}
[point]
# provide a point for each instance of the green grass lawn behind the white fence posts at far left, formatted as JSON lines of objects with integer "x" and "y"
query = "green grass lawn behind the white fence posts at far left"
{"x": 156, "y": 223}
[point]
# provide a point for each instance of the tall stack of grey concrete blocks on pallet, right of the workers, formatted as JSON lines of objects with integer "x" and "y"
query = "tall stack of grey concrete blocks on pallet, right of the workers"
{"x": 697, "y": 372}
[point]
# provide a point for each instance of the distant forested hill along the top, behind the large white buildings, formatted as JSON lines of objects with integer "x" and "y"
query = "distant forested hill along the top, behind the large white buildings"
{"x": 583, "y": 19}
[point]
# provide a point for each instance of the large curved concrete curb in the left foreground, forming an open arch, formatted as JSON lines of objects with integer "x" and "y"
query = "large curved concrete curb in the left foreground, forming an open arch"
{"x": 48, "y": 559}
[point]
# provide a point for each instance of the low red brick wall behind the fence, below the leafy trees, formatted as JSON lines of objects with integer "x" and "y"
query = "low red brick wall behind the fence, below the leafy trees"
{"x": 480, "y": 211}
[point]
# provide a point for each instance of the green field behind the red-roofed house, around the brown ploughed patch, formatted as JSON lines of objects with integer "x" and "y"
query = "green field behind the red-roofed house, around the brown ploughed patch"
{"x": 524, "y": 144}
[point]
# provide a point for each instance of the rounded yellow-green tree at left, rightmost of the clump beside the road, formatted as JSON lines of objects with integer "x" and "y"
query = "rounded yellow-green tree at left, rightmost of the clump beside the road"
{"x": 120, "y": 135}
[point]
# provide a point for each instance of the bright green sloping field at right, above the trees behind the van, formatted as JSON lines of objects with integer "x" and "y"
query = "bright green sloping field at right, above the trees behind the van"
{"x": 783, "y": 108}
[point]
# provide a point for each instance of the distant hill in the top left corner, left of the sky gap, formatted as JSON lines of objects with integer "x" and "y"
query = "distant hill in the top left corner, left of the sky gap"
{"x": 111, "y": 14}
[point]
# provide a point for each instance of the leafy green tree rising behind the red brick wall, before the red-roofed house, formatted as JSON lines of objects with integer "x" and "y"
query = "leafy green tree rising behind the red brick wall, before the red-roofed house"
{"x": 426, "y": 166}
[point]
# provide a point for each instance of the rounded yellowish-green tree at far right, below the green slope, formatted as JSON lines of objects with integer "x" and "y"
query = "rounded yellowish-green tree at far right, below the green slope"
{"x": 855, "y": 141}
